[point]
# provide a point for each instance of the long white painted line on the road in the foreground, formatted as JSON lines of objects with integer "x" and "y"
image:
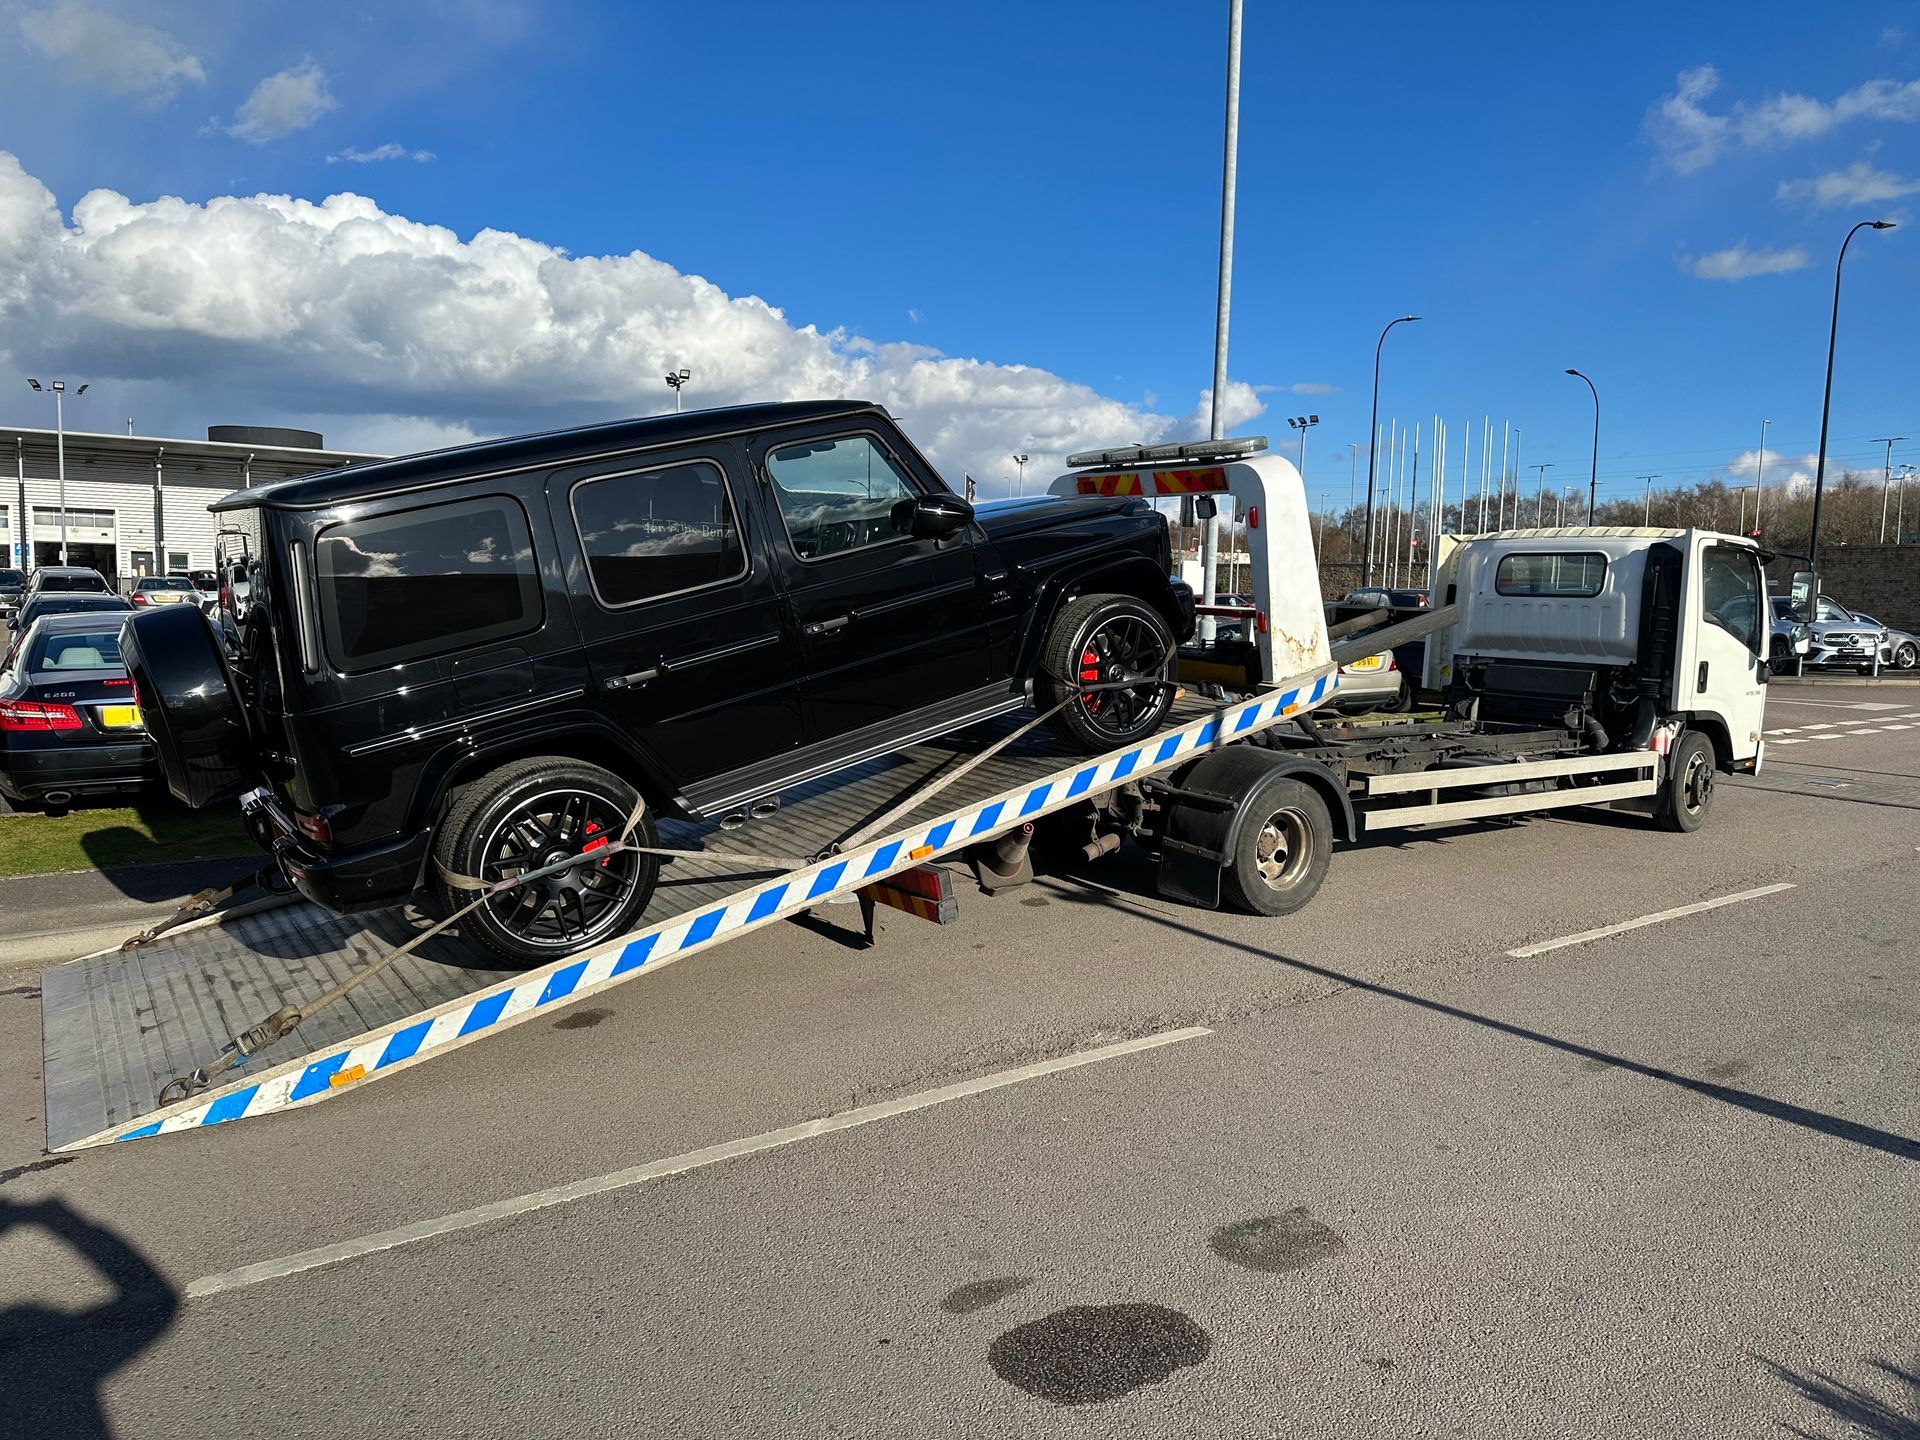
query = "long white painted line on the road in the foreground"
{"x": 621, "y": 1180}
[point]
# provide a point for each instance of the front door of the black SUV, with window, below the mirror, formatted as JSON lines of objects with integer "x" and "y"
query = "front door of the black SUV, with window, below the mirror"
{"x": 890, "y": 623}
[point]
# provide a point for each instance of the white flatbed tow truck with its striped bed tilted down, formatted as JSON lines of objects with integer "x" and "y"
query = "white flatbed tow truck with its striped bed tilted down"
{"x": 1581, "y": 667}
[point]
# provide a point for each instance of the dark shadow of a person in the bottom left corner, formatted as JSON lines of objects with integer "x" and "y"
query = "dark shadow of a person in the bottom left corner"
{"x": 55, "y": 1362}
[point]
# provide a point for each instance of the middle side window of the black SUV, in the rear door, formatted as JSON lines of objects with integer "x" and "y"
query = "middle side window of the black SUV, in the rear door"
{"x": 658, "y": 533}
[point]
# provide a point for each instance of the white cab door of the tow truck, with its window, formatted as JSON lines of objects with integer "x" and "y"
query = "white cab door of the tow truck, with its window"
{"x": 1727, "y": 669}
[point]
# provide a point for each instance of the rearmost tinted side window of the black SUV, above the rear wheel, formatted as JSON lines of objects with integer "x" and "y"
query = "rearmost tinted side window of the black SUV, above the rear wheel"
{"x": 425, "y": 583}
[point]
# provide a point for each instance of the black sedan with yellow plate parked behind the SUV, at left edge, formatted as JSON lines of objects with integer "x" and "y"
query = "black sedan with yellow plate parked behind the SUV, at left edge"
{"x": 70, "y": 723}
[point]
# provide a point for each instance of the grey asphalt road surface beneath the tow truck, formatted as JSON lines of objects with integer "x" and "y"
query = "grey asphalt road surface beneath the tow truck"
{"x": 1664, "y": 1184}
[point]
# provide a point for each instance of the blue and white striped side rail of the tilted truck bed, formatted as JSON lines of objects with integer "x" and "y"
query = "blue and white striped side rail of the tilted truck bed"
{"x": 494, "y": 1009}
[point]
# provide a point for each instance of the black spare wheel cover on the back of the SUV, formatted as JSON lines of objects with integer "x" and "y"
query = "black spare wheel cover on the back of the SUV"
{"x": 191, "y": 706}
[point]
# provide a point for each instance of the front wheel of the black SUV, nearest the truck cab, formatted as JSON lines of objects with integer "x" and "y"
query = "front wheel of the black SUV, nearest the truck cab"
{"x": 1101, "y": 638}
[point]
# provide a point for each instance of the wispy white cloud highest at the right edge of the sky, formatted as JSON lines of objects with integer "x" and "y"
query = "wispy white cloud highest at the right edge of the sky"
{"x": 1691, "y": 137}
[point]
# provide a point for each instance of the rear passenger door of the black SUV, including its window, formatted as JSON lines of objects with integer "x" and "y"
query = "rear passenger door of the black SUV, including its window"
{"x": 688, "y": 646}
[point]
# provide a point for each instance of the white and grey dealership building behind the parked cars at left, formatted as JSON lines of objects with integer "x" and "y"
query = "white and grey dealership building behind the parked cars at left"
{"x": 137, "y": 504}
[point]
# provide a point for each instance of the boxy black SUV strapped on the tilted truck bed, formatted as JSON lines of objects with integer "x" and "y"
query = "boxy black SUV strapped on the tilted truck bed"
{"x": 477, "y": 661}
